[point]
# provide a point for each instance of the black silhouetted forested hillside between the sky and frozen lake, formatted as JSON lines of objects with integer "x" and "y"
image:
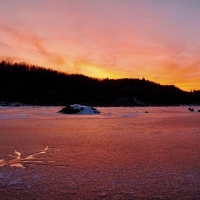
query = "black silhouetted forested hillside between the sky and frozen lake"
{"x": 30, "y": 84}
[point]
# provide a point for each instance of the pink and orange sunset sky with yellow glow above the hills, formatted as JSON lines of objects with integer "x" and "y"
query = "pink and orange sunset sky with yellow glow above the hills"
{"x": 155, "y": 39}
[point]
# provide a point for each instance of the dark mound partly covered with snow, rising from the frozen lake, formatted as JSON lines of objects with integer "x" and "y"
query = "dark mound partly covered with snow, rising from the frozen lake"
{"x": 79, "y": 109}
